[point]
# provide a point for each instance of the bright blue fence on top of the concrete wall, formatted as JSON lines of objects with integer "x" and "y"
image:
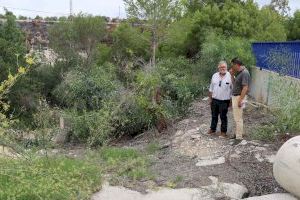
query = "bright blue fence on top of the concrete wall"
{"x": 281, "y": 57}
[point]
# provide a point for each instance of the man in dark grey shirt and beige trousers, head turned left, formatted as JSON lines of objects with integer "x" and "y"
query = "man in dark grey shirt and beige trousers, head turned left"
{"x": 241, "y": 81}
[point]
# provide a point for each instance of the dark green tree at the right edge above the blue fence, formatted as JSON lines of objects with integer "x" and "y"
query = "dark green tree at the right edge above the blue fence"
{"x": 293, "y": 26}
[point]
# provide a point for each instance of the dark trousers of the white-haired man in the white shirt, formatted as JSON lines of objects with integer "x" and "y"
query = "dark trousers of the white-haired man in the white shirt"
{"x": 219, "y": 107}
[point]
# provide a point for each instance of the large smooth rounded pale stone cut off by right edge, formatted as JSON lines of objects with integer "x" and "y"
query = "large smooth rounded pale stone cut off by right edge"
{"x": 286, "y": 166}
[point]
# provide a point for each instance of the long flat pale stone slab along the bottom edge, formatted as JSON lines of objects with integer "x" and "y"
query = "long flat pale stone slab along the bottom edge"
{"x": 211, "y": 192}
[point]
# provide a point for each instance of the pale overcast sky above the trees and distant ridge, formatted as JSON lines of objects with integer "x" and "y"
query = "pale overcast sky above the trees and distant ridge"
{"x": 110, "y": 8}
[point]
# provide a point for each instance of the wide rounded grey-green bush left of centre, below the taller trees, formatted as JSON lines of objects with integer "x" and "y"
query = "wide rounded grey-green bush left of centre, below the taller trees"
{"x": 86, "y": 89}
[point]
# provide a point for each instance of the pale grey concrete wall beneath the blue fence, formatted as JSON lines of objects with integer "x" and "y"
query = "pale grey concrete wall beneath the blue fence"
{"x": 266, "y": 85}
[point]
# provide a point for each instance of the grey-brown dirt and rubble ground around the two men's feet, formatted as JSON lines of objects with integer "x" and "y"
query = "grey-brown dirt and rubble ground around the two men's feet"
{"x": 186, "y": 143}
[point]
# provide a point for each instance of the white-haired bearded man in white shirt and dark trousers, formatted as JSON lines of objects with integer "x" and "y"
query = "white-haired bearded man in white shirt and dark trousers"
{"x": 219, "y": 98}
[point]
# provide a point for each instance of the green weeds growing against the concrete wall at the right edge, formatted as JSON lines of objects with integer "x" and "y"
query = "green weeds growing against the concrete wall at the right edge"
{"x": 285, "y": 101}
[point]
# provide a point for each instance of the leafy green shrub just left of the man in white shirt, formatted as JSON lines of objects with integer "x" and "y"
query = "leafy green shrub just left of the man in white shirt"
{"x": 182, "y": 81}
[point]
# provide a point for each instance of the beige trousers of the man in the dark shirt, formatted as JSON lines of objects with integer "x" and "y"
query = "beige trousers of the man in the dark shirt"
{"x": 238, "y": 117}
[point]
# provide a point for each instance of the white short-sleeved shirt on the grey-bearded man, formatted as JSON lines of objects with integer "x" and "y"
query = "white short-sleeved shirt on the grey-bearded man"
{"x": 221, "y": 87}
